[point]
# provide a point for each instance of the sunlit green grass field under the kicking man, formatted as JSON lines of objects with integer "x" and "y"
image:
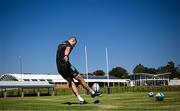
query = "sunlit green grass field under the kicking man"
{"x": 127, "y": 101}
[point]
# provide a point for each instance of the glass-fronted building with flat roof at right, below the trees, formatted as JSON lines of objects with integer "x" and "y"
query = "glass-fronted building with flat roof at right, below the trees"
{"x": 144, "y": 79}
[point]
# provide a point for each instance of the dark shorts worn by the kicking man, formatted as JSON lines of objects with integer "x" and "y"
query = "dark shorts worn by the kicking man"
{"x": 67, "y": 70}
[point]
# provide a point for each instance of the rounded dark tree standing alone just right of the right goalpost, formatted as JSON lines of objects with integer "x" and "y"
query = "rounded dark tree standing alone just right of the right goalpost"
{"x": 119, "y": 72}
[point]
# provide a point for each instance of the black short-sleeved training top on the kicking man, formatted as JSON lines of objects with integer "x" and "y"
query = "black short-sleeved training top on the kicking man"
{"x": 61, "y": 50}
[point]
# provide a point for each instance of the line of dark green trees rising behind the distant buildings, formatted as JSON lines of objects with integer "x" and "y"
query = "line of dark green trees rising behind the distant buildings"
{"x": 121, "y": 72}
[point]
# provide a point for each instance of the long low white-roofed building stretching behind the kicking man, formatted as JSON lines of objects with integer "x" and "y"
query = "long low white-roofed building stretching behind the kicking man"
{"x": 61, "y": 82}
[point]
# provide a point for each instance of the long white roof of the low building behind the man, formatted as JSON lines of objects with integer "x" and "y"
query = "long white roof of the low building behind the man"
{"x": 55, "y": 78}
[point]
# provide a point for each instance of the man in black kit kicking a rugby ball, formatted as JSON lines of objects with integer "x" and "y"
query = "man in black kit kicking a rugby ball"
{"x": 68, "y": 71}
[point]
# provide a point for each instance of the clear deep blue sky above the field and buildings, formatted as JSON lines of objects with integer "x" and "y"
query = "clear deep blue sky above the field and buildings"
{"x": 134, "y": 31}
